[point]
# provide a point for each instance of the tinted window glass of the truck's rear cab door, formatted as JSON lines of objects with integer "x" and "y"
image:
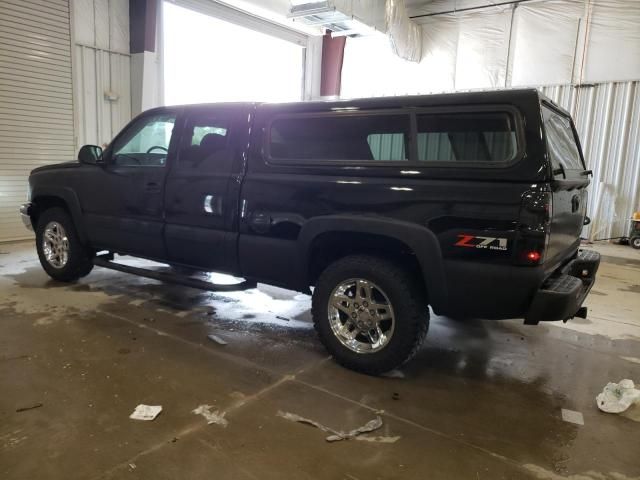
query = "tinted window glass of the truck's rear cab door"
{"x": 205, "y": 145}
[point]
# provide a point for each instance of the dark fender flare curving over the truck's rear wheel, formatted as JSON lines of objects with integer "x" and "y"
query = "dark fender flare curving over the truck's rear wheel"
{"x": 422, "y": 241}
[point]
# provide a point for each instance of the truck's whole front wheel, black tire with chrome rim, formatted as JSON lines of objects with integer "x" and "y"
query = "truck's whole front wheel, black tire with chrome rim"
{"x": 60, "y": 251}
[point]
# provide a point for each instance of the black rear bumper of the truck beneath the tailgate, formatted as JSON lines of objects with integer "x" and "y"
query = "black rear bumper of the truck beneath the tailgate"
{"x": 562, "y": 294}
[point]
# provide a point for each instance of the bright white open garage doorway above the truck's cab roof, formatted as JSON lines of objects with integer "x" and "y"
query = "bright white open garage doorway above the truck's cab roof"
{"x": 210, "y": 60}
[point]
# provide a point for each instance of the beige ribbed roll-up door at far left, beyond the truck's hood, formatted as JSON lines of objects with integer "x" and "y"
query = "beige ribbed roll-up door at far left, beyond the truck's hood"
{"x": 36, "y": 108}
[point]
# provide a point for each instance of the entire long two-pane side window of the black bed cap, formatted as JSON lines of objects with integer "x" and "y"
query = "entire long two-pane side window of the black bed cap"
{"x": 422, "y": 138}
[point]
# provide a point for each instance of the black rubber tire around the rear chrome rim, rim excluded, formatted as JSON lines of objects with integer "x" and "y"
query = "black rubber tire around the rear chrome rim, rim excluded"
{"x": 406, "y": 296}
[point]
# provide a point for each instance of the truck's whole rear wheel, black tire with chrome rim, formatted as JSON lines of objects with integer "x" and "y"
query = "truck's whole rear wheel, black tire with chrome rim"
{"x": 370, "y": 314}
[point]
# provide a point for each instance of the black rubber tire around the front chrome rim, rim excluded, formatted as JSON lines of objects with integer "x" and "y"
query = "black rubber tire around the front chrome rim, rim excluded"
{"x": 79, "y": 262}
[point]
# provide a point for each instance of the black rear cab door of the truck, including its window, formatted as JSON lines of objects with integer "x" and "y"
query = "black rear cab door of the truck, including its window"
{"x": 202, "y": 189}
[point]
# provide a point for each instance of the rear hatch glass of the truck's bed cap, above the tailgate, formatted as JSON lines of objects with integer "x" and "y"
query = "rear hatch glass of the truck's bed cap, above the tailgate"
{"x": 561, "y": 142}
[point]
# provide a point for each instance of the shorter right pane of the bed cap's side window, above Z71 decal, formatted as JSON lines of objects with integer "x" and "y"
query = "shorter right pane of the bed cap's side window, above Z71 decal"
{"x": 466, "y": 137}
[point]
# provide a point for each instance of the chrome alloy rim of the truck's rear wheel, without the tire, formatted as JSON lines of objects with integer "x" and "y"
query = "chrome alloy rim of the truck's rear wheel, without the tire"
{"x": 361, "y": 315}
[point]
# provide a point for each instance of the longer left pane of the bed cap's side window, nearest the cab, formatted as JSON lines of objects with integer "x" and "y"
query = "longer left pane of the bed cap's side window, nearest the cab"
{"x": 335, "y": 137}
